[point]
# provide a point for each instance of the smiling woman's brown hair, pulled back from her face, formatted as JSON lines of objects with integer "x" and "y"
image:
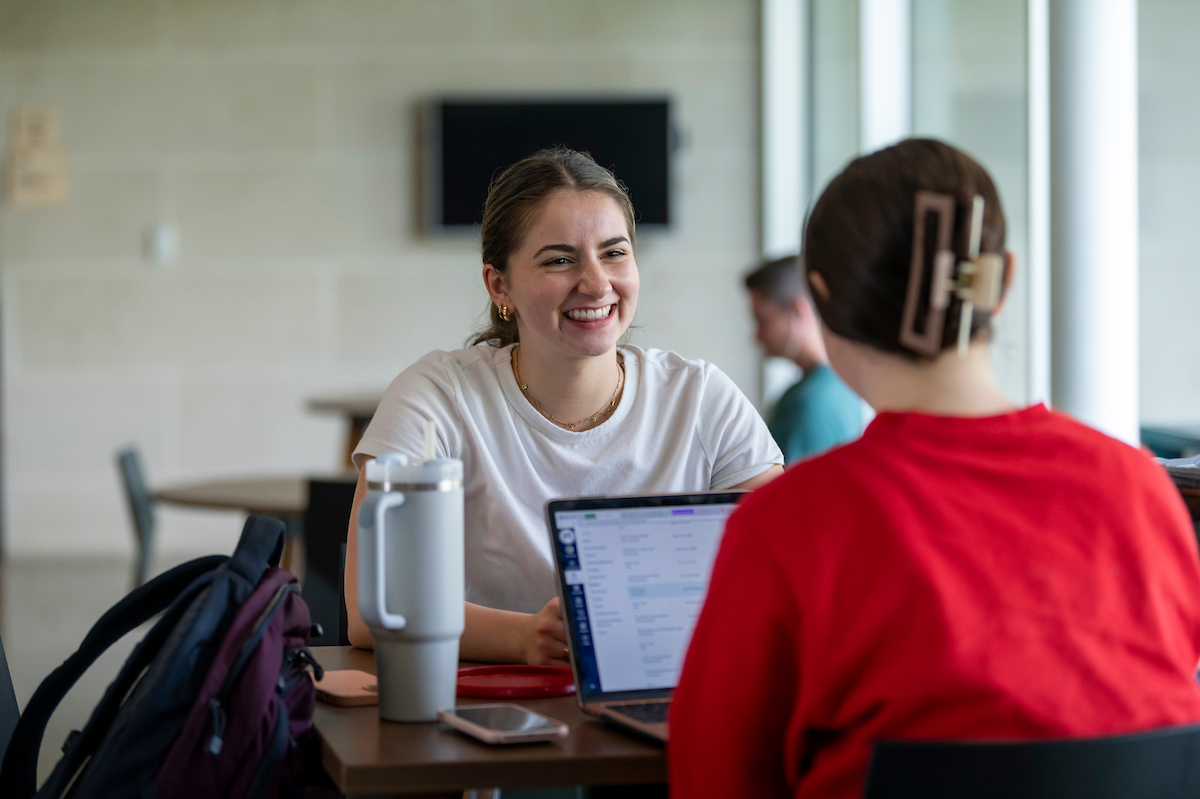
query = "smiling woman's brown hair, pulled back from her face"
{"x": 513, "y": 201}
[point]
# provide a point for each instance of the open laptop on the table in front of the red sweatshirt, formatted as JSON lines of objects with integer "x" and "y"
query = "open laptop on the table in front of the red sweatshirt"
{"x": 633, "y": 573}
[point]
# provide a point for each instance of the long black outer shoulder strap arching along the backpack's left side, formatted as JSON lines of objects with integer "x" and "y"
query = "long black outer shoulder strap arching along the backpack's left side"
{"x": 19, "y": 777}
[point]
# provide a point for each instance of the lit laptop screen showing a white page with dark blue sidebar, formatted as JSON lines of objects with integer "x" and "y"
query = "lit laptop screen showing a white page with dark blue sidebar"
{"x": 635, "y": 579}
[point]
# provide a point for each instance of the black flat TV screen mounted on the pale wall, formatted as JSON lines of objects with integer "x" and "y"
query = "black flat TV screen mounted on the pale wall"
{"x": 472, "y": 142}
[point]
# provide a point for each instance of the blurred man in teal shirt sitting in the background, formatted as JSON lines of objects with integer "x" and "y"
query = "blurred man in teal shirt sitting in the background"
{"x": 820, "y": 412}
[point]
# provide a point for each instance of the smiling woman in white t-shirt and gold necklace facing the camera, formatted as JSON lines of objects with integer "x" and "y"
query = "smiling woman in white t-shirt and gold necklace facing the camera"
{"x": 547, "y": 402}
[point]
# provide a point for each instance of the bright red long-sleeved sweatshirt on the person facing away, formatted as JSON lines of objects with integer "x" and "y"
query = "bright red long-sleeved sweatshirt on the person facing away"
{"x": 1010, "y": 578}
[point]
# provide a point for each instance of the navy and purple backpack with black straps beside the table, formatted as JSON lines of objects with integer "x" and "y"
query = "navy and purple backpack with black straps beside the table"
{"x": 217, "y": 701}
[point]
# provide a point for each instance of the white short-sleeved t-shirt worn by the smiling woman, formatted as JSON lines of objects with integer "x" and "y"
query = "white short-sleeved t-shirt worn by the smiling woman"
{"x": 681, "y": 426}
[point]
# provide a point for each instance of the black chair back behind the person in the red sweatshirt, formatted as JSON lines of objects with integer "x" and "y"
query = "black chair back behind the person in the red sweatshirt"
{"x": 1156, "y": 765}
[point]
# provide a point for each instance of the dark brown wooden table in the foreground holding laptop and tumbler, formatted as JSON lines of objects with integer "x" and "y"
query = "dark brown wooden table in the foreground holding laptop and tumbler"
{"x": 365, "y": 755}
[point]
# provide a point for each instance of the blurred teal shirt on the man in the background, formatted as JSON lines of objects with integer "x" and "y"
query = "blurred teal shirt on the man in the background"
{"x": 817, "y": 414}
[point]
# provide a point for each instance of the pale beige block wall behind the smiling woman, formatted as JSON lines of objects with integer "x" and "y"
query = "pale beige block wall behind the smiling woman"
{"x": 280, "y": 136}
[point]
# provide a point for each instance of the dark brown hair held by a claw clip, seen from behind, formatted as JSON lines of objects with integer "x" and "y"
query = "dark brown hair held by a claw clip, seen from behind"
{"x": 860, "y": 238}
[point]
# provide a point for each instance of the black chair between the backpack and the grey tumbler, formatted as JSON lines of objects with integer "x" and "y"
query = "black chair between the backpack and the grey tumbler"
{"x": 326, "y": 525}
